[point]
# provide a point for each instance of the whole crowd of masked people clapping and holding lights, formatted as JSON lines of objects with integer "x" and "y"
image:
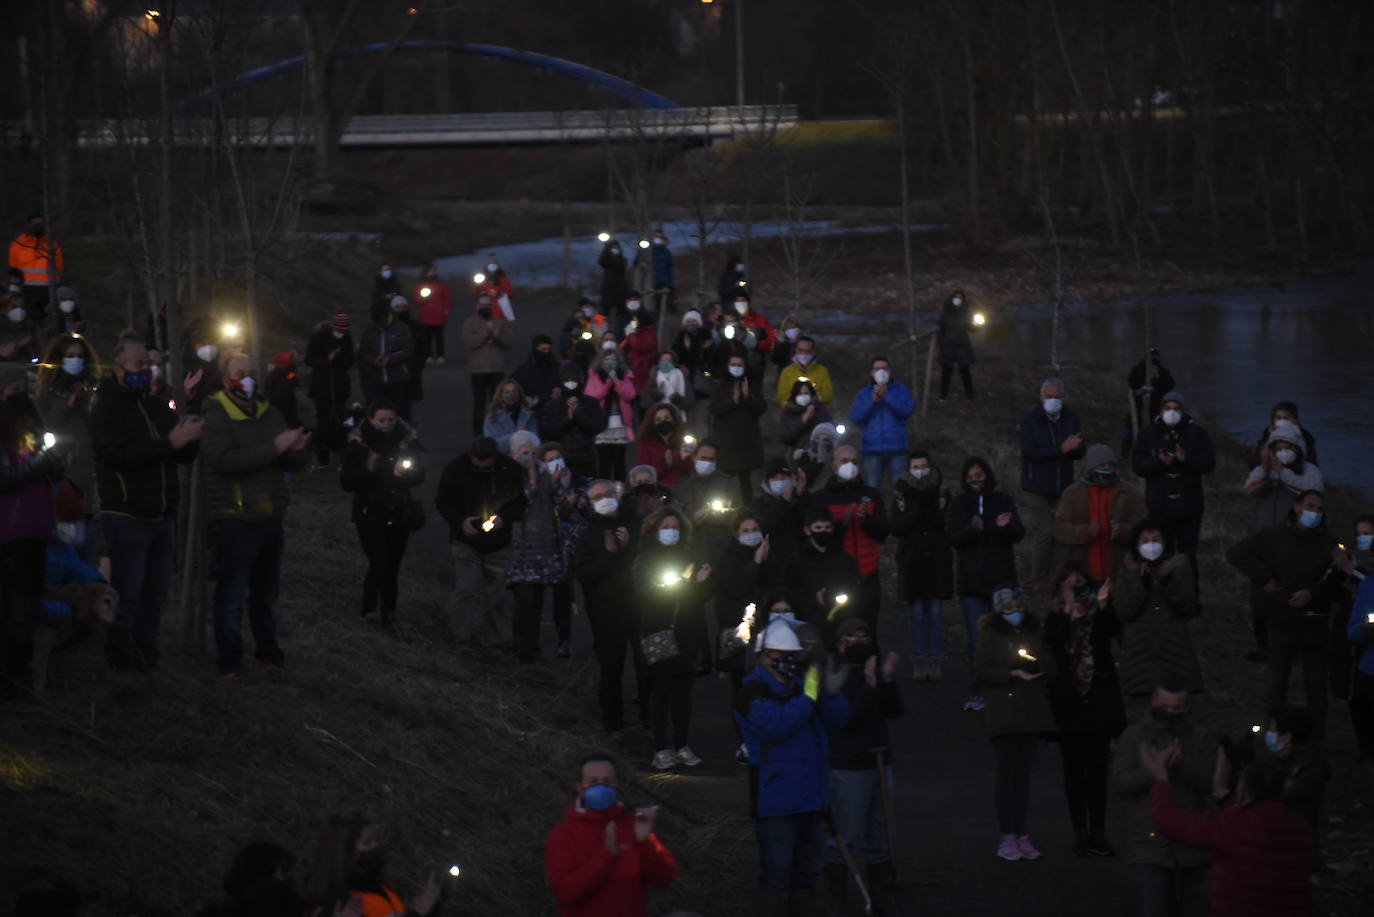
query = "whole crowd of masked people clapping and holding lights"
{"x": 722, "y": 522}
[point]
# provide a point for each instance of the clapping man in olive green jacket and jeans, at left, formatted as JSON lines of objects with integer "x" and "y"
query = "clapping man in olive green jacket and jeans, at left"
{"x": 248, "y": 450}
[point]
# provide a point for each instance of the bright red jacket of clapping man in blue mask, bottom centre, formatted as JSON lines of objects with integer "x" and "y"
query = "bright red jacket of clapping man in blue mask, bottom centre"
{"x": 590, "y": 882}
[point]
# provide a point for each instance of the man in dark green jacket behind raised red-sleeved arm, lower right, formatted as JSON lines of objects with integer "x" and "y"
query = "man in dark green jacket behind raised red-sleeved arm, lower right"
{"x": 1171, "y": 878}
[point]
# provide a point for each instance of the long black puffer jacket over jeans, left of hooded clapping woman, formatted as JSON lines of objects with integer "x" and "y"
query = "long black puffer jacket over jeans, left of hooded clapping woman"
{"x": 925, "y": 562}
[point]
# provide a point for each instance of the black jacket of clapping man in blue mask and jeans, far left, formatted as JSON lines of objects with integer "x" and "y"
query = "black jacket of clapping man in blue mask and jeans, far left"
{"x": 135, "y": 463}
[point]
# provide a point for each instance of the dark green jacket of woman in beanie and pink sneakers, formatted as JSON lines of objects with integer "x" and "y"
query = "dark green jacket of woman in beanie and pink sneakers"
{"x": 1015, "y": 707}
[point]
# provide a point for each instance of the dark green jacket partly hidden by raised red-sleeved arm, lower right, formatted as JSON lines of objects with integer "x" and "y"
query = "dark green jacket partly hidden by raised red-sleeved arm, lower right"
{"x": 1191, "y": 782}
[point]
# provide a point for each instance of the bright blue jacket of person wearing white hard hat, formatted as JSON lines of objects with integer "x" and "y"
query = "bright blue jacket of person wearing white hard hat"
{"x": 785, "y": 735}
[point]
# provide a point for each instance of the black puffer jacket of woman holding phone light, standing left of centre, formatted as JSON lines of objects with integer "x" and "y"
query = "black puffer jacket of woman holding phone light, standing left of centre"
{"x": 380, "y": 496}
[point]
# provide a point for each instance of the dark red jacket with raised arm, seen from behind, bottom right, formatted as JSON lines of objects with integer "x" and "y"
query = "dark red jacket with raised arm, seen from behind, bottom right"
{"x": 1261, "y": 854}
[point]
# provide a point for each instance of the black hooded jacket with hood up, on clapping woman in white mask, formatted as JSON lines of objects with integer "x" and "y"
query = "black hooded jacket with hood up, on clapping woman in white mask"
{"x": 987, "y": 559}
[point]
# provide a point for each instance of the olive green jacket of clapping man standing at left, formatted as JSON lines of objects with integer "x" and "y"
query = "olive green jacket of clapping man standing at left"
{"x": 244, "y": 475}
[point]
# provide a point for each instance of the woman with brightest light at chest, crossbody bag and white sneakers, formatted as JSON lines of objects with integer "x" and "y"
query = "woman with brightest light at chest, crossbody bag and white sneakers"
{"x": 671, "y": 588}
